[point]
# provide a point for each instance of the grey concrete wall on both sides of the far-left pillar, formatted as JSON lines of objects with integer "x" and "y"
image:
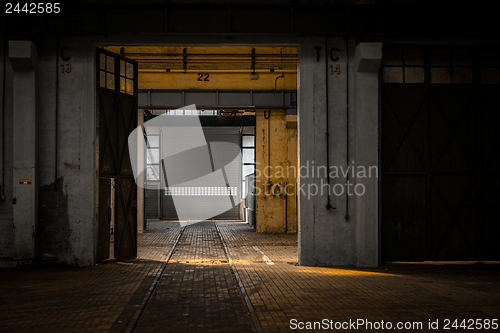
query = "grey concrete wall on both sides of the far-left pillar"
{"x": 66, "y": 228}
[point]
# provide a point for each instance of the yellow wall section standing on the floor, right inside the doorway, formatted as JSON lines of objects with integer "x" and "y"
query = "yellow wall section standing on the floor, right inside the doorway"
{"x": 276, "y": 167}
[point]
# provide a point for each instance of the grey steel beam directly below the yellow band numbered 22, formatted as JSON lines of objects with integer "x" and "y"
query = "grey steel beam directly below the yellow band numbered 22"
{"x": 214, "y": 100}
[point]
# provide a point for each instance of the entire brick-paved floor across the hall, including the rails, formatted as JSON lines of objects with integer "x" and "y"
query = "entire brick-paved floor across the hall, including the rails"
{"x": 257, "y": 288}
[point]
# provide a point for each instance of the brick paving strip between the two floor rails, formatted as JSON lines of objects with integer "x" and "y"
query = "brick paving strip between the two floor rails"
{"x": 197, "y": 292}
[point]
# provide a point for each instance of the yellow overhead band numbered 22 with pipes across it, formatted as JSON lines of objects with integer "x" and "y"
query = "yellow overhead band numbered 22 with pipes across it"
{"x": 213, "y": 68}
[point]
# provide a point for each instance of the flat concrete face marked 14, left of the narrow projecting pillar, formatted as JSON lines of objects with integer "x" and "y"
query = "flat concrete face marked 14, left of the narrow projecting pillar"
{"x": 325, "y": 237}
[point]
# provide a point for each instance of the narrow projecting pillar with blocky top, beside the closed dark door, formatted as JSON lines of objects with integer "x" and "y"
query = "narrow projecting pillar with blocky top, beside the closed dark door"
{"x": 367, "y": 59}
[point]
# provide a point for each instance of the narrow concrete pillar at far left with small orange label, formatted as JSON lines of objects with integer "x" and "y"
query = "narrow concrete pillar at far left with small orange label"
{"x": 23, "y": 57}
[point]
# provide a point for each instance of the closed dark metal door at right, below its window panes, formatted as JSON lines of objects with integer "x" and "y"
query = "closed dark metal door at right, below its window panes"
{"x": 429, "y": 132}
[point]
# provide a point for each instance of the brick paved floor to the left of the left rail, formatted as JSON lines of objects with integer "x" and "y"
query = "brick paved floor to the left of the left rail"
{"x": 81, "y": 299}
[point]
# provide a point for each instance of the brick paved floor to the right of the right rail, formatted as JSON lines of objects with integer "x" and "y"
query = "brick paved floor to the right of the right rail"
{"x": 395, "y": 293}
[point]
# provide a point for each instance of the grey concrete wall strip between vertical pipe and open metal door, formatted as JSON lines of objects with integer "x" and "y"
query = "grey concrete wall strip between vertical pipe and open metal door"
{"x": 76, "y": 154}
